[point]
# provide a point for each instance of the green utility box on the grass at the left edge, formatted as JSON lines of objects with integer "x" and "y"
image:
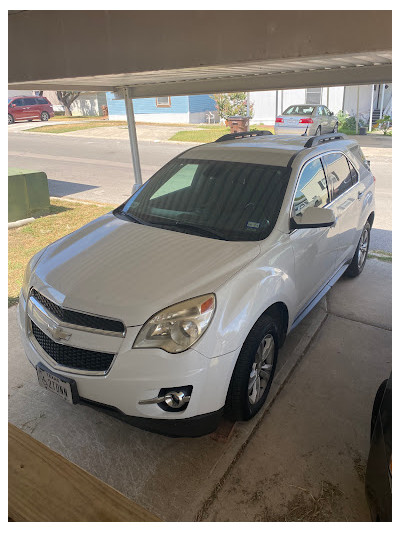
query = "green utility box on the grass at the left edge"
{"x": 28, "y": 193}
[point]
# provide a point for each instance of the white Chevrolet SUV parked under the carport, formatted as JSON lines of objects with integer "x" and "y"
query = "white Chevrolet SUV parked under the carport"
{"x": 170, "y": 310}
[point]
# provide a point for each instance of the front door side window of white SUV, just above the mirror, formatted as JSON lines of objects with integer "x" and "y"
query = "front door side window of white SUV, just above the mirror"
{"x": 312, "y": 189}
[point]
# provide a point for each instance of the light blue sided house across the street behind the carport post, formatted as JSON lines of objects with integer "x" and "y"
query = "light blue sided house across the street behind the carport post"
{"x": 191, "y": 109}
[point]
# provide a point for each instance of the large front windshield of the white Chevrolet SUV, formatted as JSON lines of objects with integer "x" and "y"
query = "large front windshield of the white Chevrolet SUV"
{"x": 216, "y": 199}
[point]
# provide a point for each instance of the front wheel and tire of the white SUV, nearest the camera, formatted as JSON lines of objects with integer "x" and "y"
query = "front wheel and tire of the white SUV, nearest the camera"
{"x": 254, "y": 370}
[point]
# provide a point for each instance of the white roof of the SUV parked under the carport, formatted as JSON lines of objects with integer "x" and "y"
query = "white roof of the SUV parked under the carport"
{"x": 277, "y": 150}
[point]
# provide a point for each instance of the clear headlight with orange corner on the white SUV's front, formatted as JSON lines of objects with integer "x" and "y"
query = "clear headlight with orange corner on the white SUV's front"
{"x": 176, "y": 328}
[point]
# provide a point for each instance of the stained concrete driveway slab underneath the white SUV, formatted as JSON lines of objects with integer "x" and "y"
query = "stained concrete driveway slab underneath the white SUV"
{"x": 301, "y": 458}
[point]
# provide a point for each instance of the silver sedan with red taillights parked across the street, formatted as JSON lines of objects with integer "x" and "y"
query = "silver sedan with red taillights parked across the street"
{"x": 306, "y": 120}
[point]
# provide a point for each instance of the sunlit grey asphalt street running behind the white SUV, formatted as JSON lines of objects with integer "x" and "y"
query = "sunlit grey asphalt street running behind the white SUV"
{"x": 100, "y": 170}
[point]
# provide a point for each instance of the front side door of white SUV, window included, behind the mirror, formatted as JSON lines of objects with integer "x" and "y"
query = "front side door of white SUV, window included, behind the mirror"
{"x": 315, "y": 249}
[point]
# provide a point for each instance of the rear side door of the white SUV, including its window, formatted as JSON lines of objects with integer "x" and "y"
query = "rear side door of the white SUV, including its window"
{"x": 344, "y": 184}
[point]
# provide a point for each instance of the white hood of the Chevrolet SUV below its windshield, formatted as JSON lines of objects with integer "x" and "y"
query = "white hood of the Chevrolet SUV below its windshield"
{"x": 120, "y": 269}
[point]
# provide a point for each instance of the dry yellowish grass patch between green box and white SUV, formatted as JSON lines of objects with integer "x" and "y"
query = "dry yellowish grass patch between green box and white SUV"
{"x": 25, "y": 241}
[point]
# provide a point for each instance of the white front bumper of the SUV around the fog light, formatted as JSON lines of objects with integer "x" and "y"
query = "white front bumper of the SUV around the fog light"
{"x": 139, "y": 374}
